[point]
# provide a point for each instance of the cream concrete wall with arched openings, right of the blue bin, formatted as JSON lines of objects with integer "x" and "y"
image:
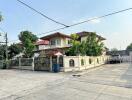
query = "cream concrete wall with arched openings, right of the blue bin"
{"x": 76, "y": 63}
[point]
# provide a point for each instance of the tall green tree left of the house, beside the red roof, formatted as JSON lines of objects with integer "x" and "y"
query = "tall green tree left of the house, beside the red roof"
{"x": 28, "y": 39}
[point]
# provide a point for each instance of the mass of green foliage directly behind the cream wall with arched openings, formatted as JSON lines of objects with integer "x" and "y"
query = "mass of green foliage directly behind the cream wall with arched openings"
{"x": 91, "y": 47}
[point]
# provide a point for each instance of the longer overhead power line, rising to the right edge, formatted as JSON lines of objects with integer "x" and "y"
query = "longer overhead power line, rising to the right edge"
{"x": 106, "y": 15}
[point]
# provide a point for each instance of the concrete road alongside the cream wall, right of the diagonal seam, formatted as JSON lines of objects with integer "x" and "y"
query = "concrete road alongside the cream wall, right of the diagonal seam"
{"x": 109, "y": 82}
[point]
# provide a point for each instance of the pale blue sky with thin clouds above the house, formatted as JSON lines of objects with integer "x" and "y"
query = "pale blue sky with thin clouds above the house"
{"x": 117, "y": 29}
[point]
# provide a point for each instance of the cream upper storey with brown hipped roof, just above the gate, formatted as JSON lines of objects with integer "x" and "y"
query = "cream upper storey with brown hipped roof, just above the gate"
{"x": 57, "y": 42}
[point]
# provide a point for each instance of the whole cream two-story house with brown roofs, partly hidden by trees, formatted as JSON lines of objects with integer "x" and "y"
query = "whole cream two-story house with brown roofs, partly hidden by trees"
{"x": 58, "y": 42}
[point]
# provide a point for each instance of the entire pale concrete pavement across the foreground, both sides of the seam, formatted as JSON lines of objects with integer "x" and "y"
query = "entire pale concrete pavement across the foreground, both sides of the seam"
{"x": 108, "y": 82}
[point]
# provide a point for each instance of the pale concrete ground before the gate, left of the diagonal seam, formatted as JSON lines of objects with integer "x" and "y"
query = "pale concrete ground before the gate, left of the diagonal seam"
{"x": 15, "y": 83}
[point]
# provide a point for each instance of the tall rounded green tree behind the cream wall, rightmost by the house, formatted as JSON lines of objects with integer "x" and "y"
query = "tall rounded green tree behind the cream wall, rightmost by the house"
{"x": 94, "y": 46}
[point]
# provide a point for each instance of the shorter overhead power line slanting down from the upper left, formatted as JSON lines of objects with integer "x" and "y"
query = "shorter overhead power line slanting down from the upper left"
{"x": 41, "y": 13}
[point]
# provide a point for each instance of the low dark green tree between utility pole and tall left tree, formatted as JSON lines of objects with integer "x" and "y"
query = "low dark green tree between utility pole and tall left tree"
{"x": 14, "y": 49}
